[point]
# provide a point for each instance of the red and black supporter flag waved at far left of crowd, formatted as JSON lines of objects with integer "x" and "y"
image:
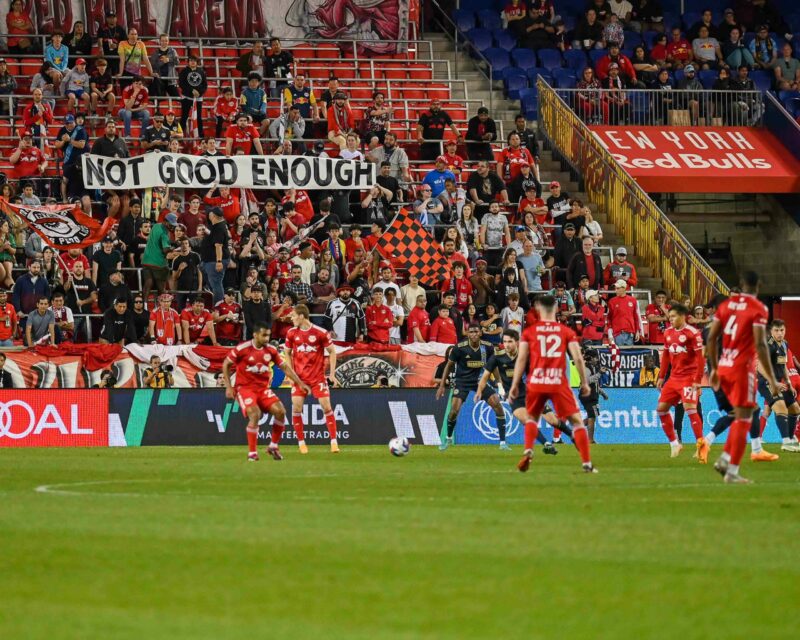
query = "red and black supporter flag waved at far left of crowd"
{"x": 62, "y": 226}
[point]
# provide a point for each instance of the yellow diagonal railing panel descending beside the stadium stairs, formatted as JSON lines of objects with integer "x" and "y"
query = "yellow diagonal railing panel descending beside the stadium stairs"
{"x": 657, "y": 241}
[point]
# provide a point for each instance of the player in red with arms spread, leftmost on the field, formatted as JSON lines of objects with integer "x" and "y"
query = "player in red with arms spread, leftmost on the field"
{"x": 253, "y": 361}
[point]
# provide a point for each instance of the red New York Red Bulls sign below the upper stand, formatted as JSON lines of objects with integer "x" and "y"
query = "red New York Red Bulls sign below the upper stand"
{"x": 703, "y": 159}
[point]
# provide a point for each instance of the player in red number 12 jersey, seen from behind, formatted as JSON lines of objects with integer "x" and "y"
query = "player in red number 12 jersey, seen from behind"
{"x": 544, "y": 346}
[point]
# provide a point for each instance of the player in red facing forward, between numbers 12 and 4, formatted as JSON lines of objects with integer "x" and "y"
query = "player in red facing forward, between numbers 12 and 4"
{"x": 682, "y": 356}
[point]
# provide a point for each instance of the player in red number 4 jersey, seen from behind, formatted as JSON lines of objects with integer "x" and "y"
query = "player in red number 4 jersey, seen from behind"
{"x": 742, "y": 321}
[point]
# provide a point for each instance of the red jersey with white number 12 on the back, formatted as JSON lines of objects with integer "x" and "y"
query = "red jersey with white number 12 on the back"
{"x": 547, "y": 352}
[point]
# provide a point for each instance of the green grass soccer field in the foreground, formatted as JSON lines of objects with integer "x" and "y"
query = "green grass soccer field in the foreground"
{"x": 197, "y": 543}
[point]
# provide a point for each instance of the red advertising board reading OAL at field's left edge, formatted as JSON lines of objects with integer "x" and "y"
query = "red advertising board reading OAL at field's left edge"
{"x": 63, "y": 418}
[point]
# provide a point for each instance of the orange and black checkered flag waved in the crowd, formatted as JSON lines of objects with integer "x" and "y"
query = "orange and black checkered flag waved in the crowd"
{"x": 408, "y": 245}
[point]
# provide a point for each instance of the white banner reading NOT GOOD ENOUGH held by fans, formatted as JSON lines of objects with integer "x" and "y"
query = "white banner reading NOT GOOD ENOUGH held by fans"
{"x": 251, "y": 172}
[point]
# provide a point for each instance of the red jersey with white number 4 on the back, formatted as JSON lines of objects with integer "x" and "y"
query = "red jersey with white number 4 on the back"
{"x": 738, "y": 315}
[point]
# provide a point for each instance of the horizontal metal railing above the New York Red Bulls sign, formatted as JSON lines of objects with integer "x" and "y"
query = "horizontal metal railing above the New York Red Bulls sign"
{"x": 681, "y": 108}
